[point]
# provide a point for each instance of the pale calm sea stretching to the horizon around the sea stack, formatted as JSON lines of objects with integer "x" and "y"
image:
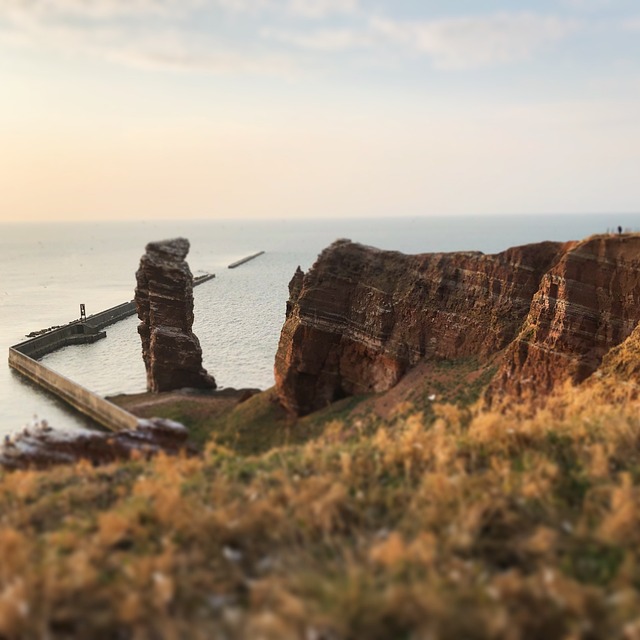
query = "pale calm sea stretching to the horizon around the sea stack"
{"x": 47, "y": 270}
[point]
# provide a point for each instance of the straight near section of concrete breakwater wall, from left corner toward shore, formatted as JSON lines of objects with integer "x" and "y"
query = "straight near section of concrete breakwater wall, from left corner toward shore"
{"x": 90, "y": 404}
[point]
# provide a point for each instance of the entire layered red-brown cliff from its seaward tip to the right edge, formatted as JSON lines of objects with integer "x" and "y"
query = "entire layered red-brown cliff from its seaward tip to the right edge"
{"x": 361, "y": 317}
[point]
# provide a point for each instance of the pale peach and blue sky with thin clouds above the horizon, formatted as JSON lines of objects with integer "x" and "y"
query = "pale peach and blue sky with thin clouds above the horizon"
{"x": 205, "y": 109}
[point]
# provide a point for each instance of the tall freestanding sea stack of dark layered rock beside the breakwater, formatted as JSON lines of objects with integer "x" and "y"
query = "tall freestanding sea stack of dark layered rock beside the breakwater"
{"x": 164, "y": 300}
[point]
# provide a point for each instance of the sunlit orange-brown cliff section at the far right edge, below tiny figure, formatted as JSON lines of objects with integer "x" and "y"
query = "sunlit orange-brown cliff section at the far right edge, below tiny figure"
{"x": 587, "y": 304}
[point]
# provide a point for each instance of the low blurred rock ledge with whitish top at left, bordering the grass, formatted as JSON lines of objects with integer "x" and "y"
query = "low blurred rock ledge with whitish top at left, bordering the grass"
{"x": 40, "y": 446}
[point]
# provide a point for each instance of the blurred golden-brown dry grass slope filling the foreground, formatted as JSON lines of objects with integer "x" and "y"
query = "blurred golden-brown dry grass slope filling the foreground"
{"x": 448, "y": 524}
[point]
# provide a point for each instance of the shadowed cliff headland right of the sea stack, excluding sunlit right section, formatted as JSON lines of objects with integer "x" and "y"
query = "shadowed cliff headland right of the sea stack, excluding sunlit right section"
{"x": 361, "y": 317}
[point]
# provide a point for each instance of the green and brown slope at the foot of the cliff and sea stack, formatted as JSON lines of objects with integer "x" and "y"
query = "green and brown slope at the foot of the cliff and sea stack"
{"x": 259, "y": 424}
